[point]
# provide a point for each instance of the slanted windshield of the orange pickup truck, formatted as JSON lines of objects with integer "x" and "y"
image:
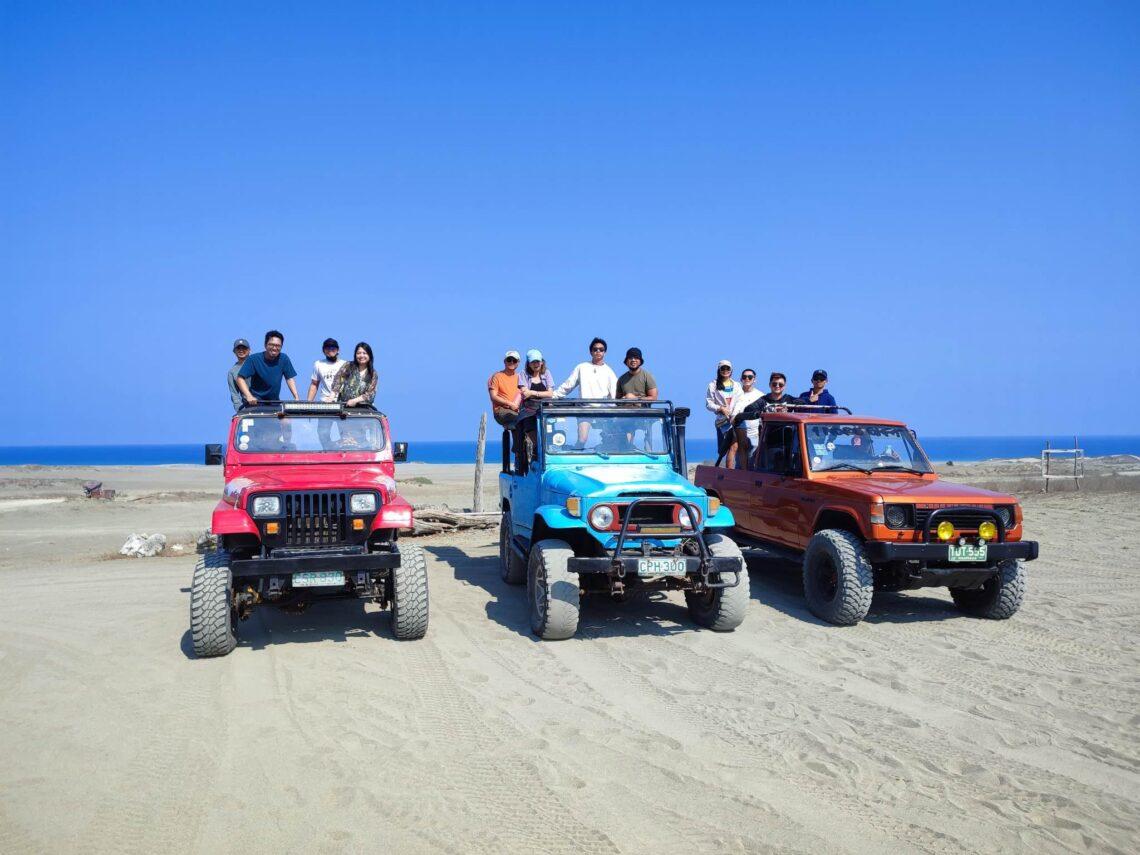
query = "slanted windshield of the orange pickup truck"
{"x": 865, "y": 447}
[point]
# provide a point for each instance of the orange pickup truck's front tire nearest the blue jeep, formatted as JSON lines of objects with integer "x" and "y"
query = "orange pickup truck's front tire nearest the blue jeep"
{"x": 838, "y": 580}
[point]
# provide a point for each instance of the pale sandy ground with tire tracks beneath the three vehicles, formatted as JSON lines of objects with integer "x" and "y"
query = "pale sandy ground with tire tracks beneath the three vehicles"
{"x": 917, "y": 731}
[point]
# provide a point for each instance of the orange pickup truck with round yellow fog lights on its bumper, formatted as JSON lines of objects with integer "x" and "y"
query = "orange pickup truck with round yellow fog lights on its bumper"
{"x": 857, "y": 500}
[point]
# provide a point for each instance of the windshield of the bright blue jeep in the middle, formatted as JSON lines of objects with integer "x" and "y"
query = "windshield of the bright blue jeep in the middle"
{"x": 628, "y": 437}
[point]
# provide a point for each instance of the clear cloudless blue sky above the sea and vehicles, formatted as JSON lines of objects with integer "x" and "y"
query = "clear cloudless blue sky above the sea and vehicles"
{"x": 939, "y": 203}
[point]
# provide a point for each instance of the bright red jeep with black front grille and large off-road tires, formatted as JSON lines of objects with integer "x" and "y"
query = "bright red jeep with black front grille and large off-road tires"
{"x": 310, "y": 511}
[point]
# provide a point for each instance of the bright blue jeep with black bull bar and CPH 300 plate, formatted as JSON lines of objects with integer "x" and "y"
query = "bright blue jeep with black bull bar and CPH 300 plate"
{"x": 596, "y": 501}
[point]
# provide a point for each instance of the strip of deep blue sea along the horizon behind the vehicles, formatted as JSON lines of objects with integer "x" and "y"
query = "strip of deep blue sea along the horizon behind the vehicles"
{"x": 941, "y": 450}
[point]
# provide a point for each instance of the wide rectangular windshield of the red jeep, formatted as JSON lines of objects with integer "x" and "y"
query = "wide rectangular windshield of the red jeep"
{"x": 308, "y": 435}
